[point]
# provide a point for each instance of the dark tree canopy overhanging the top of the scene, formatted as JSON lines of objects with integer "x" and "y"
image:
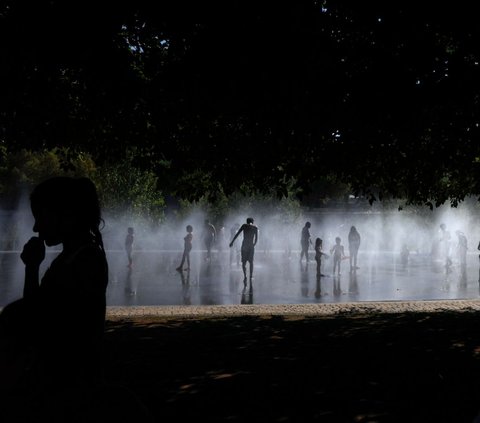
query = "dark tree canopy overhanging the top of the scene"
{"x": 381, "y": 95}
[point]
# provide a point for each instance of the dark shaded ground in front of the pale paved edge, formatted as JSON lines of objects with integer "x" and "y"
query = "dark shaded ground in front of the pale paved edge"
{"x": 348, "y": 367}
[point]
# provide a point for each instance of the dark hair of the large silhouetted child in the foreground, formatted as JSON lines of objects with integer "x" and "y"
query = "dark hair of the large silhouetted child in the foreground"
{"x": 72, "y": 197}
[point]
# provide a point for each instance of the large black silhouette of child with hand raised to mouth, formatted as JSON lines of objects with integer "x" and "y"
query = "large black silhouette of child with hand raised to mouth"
{"x": 51, "y": 339}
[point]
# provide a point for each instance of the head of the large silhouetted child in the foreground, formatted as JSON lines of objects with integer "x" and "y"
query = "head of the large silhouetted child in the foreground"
{"x": 66, "y": 207}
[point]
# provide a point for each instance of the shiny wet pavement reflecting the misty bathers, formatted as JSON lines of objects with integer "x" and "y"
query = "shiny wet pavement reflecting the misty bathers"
{"x": 278, "y": 279}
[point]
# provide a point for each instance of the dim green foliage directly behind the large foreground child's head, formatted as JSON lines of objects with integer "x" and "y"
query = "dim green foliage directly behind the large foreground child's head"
{"x": 123, "y": 188}
